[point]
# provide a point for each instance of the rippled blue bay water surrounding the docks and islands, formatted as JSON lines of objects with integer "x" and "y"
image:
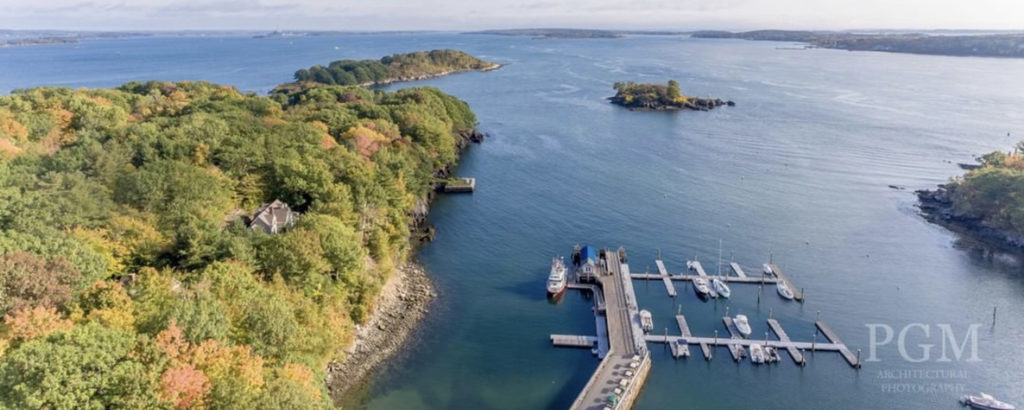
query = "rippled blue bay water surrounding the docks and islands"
{"x": 800, "y": 169}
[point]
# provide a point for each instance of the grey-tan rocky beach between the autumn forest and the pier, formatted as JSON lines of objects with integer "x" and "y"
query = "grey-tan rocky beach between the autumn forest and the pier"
{"x": 401, "y": 306}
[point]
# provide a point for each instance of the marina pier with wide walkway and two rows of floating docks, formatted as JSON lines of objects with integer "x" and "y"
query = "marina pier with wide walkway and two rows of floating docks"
{"x": 622, "y": 345}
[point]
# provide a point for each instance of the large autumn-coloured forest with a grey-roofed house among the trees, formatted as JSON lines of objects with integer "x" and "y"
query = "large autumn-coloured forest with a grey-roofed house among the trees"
{"x": 186, "y": 245}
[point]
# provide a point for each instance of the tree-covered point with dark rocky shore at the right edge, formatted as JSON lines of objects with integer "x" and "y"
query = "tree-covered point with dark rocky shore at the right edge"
{"x": 987, "y": 202}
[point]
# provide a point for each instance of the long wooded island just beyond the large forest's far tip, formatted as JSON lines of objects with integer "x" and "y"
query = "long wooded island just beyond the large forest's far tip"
{"x": 398, "y": 68}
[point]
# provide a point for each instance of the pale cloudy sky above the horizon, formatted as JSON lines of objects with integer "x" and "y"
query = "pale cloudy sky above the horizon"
{"x": 475, "y": 15}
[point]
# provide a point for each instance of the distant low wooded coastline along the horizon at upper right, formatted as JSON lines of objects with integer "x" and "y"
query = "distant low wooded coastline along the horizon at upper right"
{"x": 988, "y": 46}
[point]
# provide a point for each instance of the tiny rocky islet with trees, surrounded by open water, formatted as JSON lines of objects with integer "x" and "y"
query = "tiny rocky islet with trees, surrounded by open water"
{"x": 639, "y": 97}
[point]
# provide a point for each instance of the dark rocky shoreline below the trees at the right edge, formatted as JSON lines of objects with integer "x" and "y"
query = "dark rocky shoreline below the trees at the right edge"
{"x": 937, "y": 208}
